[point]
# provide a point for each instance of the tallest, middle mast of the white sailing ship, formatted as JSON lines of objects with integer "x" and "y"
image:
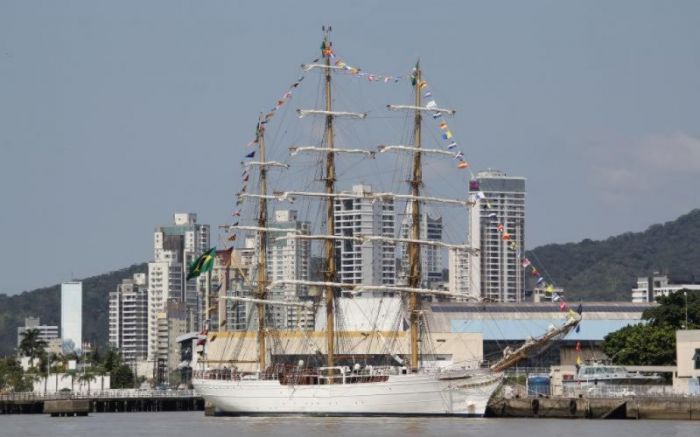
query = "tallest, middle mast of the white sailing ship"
{"x": 329, "y": 245}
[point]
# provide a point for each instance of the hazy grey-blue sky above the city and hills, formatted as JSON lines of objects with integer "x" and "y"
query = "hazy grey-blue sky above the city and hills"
{"x": 115, "y": 115}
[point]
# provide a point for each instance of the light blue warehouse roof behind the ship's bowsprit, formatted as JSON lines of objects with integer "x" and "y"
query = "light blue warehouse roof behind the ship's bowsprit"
{"x": 495, "y": 330}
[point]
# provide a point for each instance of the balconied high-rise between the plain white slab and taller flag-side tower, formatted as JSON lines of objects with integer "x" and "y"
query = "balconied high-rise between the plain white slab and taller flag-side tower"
{"x": 128, "y": 318}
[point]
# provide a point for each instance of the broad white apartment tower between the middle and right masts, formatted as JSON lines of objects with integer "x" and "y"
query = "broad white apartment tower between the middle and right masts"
{"x": 369, "y": 262}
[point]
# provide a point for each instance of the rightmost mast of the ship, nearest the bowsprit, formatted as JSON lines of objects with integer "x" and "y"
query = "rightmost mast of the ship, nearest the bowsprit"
{"x": 413, "y": 247}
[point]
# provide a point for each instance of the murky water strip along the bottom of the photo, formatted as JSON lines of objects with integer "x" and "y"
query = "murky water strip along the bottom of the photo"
{"x": 195, "y": 424}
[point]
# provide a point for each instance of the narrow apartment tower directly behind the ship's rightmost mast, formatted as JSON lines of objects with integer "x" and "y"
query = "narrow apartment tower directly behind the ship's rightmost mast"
{"x": 430, "y": 256}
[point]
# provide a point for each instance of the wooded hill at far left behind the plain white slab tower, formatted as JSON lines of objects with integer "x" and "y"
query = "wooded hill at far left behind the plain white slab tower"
{"x": 46, "y": 304}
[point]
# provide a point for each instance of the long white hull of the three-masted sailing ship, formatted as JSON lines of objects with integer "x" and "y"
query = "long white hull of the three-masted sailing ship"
{"x": 412, "y": 394}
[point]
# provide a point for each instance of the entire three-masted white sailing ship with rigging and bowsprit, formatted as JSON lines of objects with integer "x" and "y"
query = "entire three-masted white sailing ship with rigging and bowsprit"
{"x": 336, "y": 365}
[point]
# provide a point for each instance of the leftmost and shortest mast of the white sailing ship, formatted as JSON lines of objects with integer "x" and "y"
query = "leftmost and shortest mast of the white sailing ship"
{"x": 262, "y": 252}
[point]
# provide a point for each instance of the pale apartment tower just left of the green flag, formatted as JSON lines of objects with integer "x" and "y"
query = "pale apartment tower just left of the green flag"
{"x": 175, "y": 247}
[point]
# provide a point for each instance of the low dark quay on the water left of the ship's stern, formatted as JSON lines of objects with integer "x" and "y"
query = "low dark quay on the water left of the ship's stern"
{"x": 108, "y": 401}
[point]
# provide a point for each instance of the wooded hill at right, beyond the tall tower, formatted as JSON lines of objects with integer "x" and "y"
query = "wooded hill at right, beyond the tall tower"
{"x": 607, "y": 269}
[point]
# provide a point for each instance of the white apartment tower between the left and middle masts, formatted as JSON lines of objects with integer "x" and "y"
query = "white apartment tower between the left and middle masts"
{"x": 289, "y": 259}
